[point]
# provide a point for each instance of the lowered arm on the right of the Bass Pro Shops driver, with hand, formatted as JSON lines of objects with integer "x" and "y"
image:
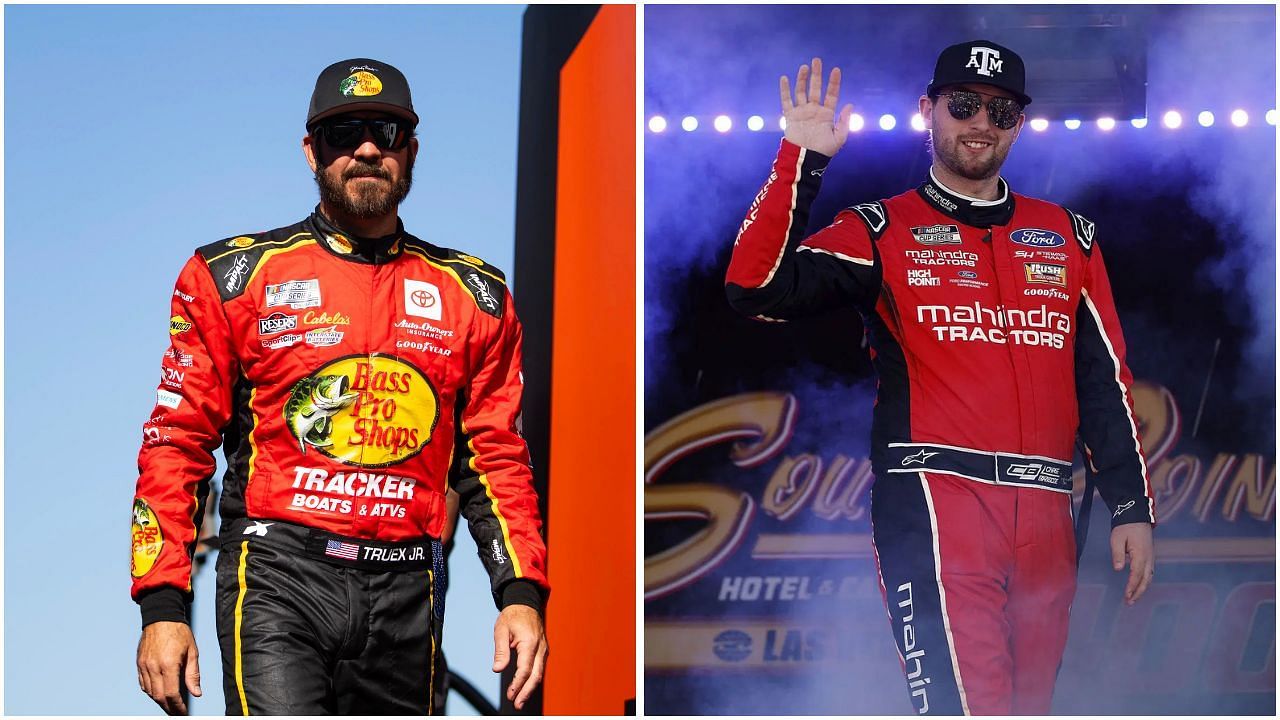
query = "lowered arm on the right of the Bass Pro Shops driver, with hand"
{"x": 495, "y": 484}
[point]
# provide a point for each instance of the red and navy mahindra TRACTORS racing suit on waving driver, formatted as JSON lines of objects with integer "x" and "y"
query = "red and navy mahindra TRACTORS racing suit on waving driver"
{"x": 996, "y": 343}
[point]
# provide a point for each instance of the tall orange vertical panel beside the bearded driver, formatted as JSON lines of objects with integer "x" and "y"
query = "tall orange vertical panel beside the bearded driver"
{"x": 593, "y": 435}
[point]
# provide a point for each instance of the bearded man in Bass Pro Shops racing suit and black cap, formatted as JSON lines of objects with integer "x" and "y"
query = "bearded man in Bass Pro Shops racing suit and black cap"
{"x": 355, "y": 376}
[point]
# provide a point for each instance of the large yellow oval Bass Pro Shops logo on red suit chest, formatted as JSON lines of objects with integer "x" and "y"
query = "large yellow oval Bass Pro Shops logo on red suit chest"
{"x": 367, "y": 411}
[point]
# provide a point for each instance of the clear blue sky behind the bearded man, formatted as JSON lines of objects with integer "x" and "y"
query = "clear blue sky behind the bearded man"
{"x": 134, "y": 135}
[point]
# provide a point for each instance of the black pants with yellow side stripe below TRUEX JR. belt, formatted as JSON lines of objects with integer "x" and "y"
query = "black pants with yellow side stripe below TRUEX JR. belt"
{"x": 307, "y": 635}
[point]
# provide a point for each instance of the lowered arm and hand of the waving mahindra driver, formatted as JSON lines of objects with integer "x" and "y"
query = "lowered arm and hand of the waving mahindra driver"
{"x": 1109, "y": 425}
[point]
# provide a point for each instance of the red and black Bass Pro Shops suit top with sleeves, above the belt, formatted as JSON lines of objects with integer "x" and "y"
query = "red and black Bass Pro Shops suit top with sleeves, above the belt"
{"x": 353, "y": 382}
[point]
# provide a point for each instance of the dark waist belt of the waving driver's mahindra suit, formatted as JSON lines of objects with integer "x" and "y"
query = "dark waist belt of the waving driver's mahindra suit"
{"x": 984, "y": 467}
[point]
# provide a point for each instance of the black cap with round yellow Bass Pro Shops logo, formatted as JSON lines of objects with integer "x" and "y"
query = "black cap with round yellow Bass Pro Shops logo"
{"x": 360, "y": 84}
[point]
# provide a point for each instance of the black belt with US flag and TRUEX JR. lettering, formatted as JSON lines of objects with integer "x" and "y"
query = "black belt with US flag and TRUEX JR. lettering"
{"x": 363, "y": 554}
